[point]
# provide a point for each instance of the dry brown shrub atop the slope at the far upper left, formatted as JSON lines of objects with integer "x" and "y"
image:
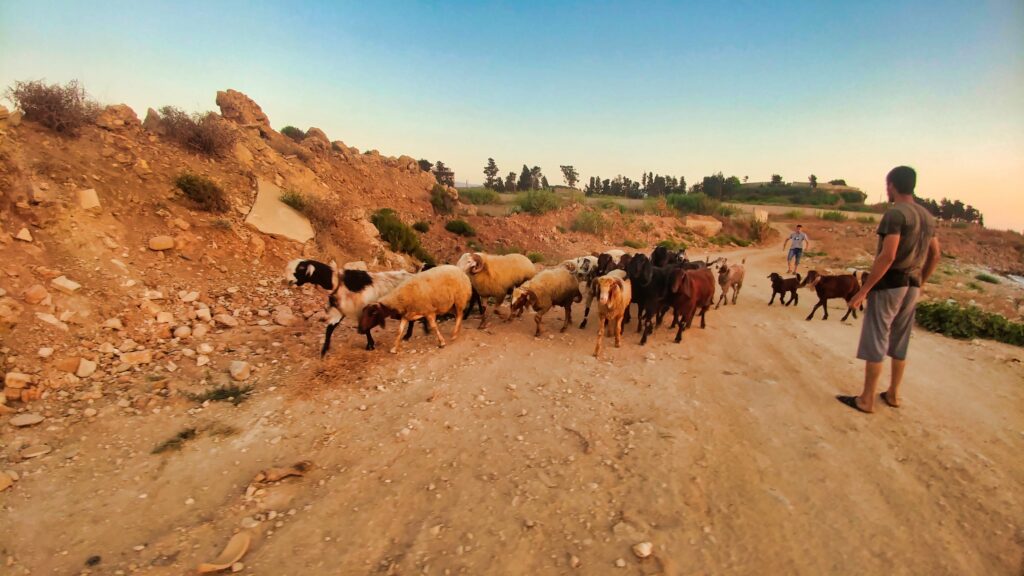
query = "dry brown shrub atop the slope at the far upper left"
{"x": 63, "y": 109}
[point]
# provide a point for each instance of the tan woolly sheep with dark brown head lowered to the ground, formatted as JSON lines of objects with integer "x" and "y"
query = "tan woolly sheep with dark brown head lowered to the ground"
{"x": 429, "y": 295}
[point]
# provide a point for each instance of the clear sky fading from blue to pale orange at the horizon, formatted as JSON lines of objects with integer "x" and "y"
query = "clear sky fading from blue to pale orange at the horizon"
{"x": 838, "y": 90}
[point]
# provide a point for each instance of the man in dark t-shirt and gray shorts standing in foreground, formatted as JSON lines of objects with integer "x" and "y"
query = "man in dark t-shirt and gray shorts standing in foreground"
{"x": 909, "y": 254}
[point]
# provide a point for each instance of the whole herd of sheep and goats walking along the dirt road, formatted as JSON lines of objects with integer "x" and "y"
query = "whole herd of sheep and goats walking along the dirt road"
{"x": 662, "y": 282}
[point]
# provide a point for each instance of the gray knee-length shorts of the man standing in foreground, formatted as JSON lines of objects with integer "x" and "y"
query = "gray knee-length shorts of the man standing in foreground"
{"x": 887, "y": 324}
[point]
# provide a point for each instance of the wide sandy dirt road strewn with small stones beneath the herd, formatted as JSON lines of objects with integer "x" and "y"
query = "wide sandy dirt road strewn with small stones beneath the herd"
{"x": 503, "y": 455}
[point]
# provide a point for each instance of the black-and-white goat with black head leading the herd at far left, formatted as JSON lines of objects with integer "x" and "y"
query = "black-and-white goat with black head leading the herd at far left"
{"x": 350, "y": 292}
